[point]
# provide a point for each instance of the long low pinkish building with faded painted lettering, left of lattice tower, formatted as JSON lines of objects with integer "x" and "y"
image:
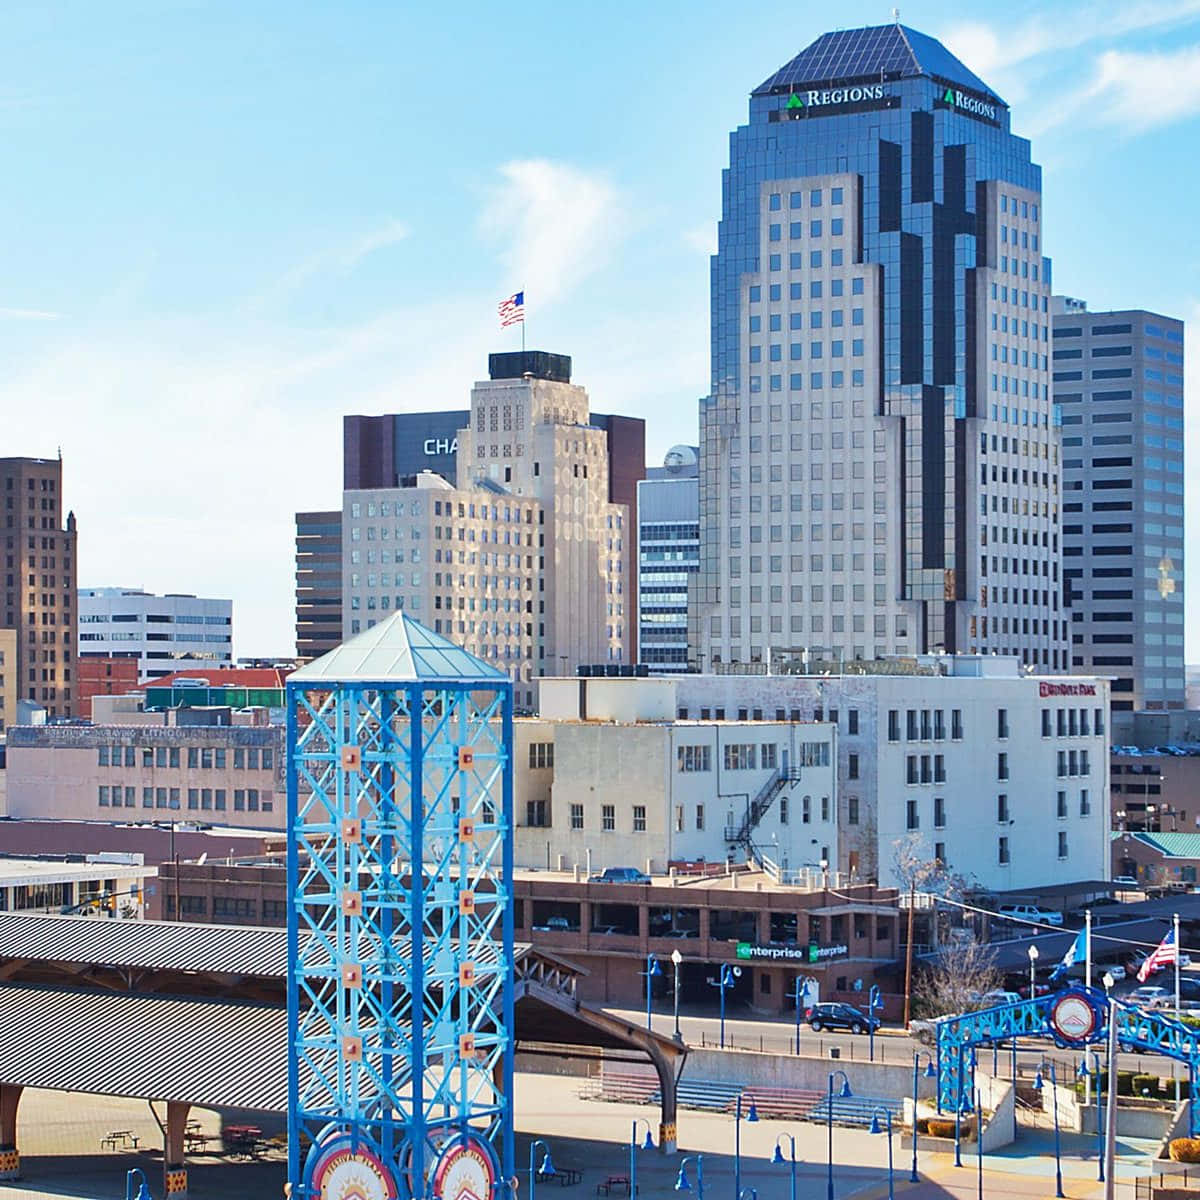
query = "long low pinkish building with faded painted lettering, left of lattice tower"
{"x": 217, "y": 773}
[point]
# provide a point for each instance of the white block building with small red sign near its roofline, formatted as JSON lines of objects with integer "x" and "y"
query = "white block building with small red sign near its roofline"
{"x": 1003, "y": 776}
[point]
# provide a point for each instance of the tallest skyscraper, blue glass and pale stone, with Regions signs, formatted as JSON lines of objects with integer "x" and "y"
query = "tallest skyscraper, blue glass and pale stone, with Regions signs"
{"x": 879, "y": 458}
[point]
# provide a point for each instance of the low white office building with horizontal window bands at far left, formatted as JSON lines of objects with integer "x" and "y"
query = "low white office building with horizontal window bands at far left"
{"x": 163, "y": 633}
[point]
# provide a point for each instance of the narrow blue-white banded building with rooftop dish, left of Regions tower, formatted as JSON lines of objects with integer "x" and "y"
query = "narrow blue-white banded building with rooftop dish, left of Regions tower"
{"x": 668, "y": 556}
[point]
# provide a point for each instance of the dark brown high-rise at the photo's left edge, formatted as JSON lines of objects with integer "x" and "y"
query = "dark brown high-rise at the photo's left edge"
{"x": 40, "y": 578}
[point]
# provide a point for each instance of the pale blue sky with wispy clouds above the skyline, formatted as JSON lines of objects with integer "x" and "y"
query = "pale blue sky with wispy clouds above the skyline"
{"x": 231, "y": 224}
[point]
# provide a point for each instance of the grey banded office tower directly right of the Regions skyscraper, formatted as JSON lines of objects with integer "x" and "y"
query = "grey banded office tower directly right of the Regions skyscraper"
{"x": 1119, "y": 380}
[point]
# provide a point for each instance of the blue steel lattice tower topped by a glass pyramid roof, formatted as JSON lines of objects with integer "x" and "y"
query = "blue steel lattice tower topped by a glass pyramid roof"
{"x": 400, "y": 916}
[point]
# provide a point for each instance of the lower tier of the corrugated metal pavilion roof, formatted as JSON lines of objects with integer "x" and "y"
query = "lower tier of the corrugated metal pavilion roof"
{"x": 124, "y": 1045}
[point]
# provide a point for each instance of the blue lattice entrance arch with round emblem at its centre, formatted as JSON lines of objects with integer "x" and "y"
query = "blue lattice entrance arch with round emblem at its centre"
{"x": 1136, "y": 1030}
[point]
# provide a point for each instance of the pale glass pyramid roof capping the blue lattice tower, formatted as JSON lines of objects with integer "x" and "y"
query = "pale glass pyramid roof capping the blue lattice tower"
{"x": 397, "y": 651}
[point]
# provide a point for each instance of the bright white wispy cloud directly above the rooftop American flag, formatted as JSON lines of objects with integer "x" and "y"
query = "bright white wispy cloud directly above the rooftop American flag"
{"x": 555, "y": 225}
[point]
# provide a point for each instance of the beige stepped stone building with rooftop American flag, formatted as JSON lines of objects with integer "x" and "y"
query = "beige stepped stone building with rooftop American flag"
{"x": 526, "y": 562}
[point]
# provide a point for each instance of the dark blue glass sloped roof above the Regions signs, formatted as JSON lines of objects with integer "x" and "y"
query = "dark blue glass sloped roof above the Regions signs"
{"x": 874, "y": 52}
